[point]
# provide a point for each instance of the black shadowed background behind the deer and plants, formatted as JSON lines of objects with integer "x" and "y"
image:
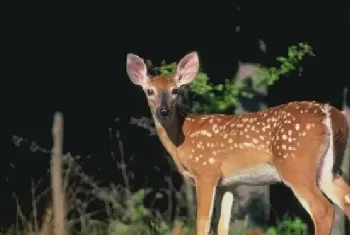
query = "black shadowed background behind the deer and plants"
{"x": 71, "y": 57}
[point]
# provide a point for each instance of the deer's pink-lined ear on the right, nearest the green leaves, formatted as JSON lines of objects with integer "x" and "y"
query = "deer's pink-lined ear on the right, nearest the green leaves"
{"x": 187, "y": 69}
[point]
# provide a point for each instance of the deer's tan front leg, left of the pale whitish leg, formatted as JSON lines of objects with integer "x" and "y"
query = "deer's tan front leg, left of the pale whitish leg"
{"x": 205, "y": 191}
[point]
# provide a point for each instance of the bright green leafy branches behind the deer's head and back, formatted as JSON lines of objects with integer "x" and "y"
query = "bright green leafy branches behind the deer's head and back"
{"x": 219, "y": 98}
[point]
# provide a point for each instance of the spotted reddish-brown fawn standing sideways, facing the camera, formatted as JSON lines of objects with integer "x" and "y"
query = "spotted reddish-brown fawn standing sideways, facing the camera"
{"x": 300, "y": 144}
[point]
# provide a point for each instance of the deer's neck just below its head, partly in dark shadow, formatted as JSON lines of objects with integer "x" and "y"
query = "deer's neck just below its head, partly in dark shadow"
{"x": 171, "y": 134}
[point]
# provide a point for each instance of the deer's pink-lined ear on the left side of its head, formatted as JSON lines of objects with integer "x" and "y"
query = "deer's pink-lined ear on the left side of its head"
{"x": 136, "y": 69}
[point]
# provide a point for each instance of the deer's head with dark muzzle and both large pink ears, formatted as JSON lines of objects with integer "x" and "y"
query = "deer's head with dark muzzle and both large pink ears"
{"x": 161, "y": 91}
